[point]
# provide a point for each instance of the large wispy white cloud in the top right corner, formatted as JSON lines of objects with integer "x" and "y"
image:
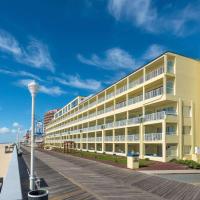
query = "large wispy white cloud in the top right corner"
{"x": 144, "y": 14}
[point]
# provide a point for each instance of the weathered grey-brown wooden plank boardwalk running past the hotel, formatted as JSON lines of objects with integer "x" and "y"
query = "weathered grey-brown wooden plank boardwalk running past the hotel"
{"x": 95, "y": 180}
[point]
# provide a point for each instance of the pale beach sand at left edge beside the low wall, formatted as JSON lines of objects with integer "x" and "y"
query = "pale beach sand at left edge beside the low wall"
{"x": 4, "y": 160}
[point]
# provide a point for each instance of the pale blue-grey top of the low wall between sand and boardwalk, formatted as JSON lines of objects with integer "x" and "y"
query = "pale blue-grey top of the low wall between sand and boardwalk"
{"x": 11, "y": 189}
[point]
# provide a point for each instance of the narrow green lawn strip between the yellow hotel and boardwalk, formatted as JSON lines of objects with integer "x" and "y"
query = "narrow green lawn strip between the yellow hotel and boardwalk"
{"x": 112, "y": 159}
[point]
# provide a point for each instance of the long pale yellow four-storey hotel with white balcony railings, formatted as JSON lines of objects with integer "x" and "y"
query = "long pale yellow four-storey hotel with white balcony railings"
{"x": 154, "y": 111}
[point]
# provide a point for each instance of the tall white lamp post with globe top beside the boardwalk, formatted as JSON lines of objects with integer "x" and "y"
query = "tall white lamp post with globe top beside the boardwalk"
{"x": 33, "y": 88}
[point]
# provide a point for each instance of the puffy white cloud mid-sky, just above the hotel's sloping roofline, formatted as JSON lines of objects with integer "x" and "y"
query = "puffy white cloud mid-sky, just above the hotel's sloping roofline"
{"x": 113, "y": 59}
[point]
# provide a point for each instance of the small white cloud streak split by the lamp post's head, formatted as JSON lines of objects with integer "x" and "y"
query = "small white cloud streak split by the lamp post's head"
{"x": 53, "y": 91}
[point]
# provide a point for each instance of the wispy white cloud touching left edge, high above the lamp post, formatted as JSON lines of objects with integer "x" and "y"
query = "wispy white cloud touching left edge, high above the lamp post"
{"x": 36, "y": 54}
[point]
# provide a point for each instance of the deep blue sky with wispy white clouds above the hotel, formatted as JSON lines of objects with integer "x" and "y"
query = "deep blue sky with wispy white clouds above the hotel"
{"x": 79, "y": 47}
